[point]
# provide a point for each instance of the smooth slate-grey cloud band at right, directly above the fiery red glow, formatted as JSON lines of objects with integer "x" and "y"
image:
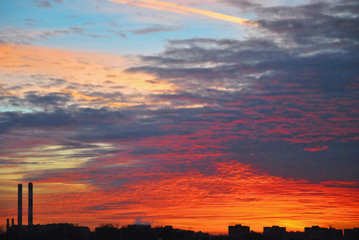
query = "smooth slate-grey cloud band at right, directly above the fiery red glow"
{"x": 290, "y": 161}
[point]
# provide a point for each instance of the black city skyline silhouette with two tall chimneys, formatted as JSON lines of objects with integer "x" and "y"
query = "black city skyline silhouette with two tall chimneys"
{"x": 140, "y": 231}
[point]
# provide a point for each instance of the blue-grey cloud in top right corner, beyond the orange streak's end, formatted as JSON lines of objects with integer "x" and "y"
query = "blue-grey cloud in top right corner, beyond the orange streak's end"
{"x": 314, "y": 25}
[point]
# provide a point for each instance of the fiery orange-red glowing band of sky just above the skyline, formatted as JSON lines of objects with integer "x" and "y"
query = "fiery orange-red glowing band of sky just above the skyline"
{"x": 247, "y": 192}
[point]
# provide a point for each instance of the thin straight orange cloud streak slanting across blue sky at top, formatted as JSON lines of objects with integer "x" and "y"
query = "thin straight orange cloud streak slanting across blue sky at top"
{"x": 171, "y": 7}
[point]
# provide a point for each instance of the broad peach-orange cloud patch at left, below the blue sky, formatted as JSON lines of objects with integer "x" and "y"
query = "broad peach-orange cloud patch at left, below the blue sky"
{"x": 23, "y": 65}
